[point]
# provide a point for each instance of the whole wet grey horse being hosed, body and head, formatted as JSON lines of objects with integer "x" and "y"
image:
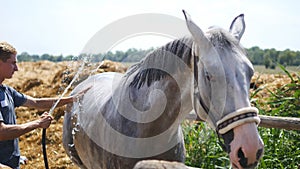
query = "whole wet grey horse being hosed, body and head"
{"x": 125, "y": 118}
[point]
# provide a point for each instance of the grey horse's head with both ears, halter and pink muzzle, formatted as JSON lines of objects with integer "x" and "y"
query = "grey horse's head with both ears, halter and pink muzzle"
{"x": 221, "y": 92}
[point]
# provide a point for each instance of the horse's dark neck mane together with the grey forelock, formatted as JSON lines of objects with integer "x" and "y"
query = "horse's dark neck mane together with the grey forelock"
{"x": 181, "y": 48}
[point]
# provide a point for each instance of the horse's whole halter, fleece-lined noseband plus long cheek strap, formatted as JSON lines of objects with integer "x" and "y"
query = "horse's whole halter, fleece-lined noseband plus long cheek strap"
{"x": 230, "y": 121}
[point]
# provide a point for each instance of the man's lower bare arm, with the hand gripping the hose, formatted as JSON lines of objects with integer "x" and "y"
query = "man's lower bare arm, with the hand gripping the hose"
{"x": 9, "y": 132}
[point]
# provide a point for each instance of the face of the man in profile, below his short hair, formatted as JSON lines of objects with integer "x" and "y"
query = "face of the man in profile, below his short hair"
{"x": 8, "y": 68}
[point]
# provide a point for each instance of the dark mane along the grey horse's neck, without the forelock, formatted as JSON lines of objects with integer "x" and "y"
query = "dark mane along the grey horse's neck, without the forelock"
{"x": 148, "y": 70}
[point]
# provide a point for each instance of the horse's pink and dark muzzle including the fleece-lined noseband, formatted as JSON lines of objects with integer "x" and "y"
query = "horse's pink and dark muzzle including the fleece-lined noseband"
{"x": 241, "y": 138}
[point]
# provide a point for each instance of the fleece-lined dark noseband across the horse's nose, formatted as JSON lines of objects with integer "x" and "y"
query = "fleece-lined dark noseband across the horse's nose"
{"x": 237, "y": 118}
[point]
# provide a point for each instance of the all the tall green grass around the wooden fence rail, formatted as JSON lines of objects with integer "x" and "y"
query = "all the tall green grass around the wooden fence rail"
{"x": 282, "y": 147}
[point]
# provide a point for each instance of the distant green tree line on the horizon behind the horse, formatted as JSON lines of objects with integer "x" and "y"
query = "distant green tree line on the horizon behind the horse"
{"x": 267, "y": 57}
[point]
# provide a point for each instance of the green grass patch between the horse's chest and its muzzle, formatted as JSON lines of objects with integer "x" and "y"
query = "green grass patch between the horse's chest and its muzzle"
{"x": 202, "y": 148}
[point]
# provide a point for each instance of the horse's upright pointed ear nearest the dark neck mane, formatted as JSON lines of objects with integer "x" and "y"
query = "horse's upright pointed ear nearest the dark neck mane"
{"x": 197, "y": 33}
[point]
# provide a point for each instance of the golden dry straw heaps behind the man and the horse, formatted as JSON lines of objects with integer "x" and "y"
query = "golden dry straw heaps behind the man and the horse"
{"x": 48, "y": 79}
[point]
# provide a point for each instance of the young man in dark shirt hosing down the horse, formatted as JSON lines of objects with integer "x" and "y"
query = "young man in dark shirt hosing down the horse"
{"x": 9, "y": 99}
